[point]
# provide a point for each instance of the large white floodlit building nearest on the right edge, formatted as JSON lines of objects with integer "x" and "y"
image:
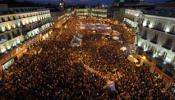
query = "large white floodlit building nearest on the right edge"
{"x": 156, "y": 39}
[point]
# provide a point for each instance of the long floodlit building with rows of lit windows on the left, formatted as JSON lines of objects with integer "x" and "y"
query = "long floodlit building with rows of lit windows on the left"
{"x": 18, "y": 26}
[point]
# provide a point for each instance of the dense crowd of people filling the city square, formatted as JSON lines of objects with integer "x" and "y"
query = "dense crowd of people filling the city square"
{"x": 58, "y": 72}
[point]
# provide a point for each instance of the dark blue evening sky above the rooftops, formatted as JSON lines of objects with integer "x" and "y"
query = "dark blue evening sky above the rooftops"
{"x": 85, "y": 1}
